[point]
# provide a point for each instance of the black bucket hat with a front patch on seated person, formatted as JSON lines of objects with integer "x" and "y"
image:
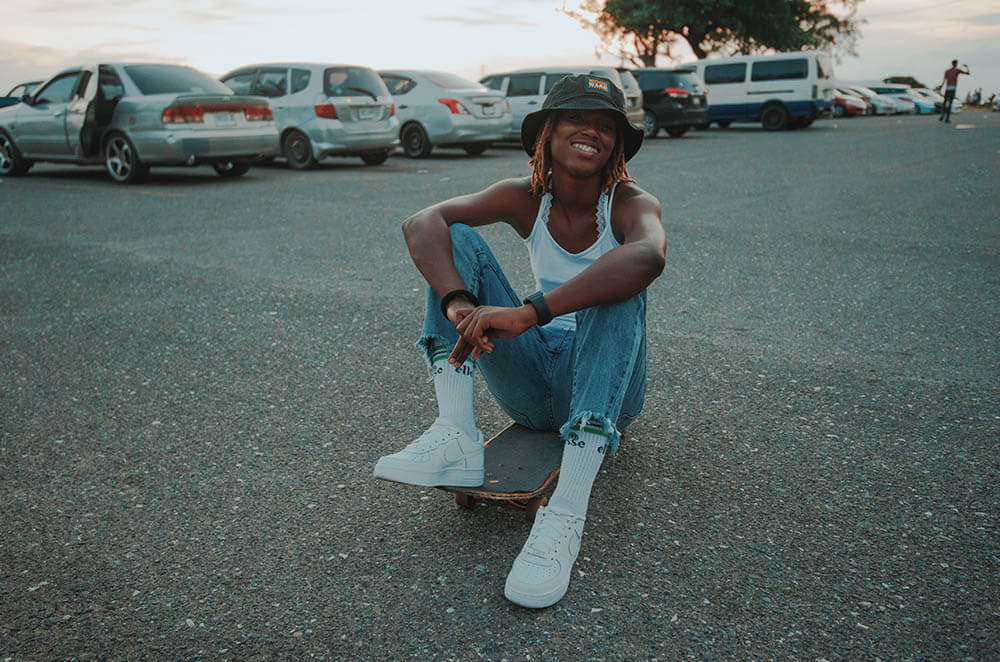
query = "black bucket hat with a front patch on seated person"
{"x": 582, "y": 92}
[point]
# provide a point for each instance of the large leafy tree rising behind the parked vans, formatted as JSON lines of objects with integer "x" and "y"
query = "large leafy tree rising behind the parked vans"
{"x": 645, "y": 29}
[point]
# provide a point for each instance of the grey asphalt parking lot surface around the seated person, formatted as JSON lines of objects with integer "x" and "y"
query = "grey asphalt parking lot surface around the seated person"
{"x": 199, "y": 374}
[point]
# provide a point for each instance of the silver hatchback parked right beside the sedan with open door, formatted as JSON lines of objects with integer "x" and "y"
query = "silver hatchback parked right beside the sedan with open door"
{"x": 323, "y": 109}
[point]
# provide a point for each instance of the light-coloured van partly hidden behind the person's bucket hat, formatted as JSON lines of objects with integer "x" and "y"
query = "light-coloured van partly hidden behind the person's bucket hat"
{"x": 526, "y": 89}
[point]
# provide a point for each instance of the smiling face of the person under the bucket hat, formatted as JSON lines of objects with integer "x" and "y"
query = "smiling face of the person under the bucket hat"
{"x": 583, "y": 140}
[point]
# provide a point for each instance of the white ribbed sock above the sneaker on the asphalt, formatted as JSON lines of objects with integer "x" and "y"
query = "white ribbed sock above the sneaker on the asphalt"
{"x": 582, "y": 457}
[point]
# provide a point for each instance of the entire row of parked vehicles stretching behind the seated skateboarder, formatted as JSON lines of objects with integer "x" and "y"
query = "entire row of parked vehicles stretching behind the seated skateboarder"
{"x": 131, "y": 116}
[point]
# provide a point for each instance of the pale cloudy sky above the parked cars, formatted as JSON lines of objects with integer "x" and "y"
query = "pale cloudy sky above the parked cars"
{"x": 468, "y": 37}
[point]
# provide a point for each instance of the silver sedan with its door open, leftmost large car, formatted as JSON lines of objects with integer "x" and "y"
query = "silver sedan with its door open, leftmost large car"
{"x": 133, "y": 116}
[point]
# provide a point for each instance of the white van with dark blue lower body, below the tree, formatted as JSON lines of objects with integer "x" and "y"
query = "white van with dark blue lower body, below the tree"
{"x": 785, "y": 90}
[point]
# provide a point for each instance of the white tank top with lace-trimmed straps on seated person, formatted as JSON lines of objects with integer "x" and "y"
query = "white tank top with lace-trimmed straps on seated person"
{"x": 553, "y": 265}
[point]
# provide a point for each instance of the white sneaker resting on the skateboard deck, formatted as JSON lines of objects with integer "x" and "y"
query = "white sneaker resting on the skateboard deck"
{"x": 443, "y": 455}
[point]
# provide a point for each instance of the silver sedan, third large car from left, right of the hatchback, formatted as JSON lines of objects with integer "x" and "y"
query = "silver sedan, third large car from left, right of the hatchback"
{"x": 440, "y": 109}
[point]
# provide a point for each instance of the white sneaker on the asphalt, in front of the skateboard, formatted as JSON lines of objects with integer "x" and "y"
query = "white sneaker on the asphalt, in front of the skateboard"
{"x": 541, "y": 572}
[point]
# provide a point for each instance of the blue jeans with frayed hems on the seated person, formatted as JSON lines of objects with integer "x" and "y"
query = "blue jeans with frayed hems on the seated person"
{"x": 551, "y": 379}
